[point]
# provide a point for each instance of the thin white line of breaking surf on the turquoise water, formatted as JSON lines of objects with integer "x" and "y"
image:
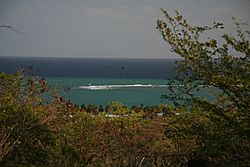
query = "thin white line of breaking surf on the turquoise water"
{"x": 108, "y": 87}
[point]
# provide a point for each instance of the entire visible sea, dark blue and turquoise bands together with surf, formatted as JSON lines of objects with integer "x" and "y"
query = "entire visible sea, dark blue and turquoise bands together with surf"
{"x": 100, "y": 81}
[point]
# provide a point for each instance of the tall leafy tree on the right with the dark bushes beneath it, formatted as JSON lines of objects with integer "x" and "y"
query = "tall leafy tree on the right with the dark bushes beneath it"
{"x": 217, "y": 131}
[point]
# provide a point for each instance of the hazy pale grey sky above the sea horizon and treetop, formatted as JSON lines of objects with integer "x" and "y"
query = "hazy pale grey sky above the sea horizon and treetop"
{"x": 102, "y": 28}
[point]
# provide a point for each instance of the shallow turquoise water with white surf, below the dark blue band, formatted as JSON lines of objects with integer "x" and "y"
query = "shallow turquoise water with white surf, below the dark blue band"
{"x": 101, "y": 91}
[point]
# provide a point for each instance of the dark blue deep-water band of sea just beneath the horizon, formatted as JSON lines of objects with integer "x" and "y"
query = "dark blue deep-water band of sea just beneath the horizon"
{"x": 92, "y": 67}
